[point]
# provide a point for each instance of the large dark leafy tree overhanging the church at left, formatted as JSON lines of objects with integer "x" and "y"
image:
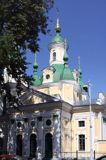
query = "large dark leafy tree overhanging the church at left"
{"x": 21, "y": 21}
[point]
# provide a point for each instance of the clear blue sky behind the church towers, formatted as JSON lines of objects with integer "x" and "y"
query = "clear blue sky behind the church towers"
{"x": 83, "y": 24}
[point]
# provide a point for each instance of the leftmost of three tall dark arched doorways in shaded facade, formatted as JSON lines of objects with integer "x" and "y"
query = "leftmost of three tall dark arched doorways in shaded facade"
{"x": 19, "y": 145}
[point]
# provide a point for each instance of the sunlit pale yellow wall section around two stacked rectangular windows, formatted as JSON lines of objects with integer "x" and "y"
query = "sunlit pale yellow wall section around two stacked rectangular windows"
{"x": 76, "y": 130}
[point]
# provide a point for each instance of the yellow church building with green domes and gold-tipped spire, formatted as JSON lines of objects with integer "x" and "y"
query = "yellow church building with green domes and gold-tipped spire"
{"x": 57, "y": 119}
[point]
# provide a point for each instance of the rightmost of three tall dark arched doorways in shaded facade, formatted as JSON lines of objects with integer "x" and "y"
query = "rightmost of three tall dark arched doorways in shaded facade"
{"x": 48, "y": 145}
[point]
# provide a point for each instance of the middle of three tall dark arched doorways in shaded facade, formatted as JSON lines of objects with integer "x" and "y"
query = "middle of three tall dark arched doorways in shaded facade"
{"x": 33, "y": 145}
